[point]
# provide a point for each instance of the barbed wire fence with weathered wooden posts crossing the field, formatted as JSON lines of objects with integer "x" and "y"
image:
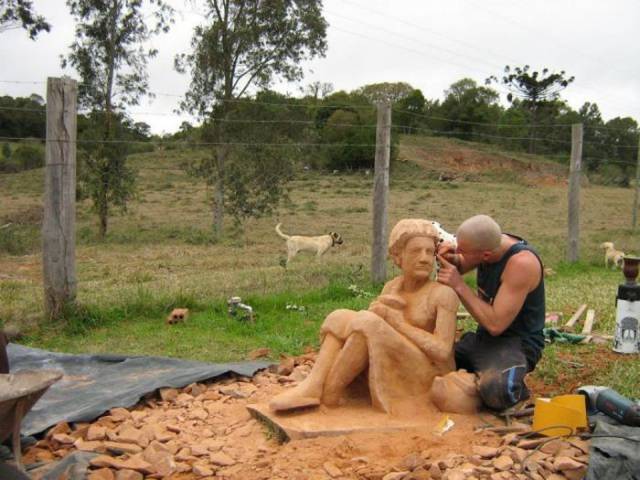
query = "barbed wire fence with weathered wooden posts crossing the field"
{"x": 60, "y": 166}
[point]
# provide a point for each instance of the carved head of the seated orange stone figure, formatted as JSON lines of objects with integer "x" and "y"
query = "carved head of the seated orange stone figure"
{"x": 412, "y": 246}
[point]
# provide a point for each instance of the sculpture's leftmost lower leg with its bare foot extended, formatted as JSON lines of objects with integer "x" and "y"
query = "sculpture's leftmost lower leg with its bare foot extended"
{"x": 309, "y": 391}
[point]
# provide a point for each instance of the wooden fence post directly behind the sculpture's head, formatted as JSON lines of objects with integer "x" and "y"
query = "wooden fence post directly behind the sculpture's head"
{"x": 381, "y": 193}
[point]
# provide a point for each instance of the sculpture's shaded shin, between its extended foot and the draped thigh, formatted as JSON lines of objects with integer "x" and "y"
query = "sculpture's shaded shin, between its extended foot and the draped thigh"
{"x": 351, "y": 361}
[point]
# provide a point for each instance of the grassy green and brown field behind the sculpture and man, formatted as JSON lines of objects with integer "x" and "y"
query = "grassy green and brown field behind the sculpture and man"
{"x": 160, "y": 255}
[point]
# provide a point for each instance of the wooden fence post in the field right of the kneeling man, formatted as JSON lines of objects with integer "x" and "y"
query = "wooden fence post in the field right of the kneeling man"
{"x": 573, "y": 241}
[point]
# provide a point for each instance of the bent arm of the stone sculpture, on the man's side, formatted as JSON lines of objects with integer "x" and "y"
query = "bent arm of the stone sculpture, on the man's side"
{"x": 439, "y": 344}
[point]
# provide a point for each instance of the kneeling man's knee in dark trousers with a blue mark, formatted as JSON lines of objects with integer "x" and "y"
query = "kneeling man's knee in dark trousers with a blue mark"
{"x": 501, "y": 389}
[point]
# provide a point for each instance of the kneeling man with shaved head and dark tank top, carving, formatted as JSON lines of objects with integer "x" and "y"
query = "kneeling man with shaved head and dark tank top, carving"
{"x": 509, "y": 308}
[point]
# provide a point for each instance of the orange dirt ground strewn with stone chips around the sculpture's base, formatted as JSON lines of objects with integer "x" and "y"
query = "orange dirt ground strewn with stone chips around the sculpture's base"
{"x": 204, "y": 431}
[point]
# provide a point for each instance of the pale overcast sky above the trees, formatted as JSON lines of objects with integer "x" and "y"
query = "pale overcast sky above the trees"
{"x": 427, "y": 43}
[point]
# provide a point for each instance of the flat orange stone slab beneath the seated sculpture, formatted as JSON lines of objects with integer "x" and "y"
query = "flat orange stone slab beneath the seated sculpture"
{"x": 349, "y": 419}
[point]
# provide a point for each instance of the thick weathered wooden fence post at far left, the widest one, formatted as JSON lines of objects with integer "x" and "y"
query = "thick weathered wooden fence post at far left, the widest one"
{"x": 58, "y": 225}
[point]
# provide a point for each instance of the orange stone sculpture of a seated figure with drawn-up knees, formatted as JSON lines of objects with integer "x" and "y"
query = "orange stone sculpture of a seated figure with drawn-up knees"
{"x": 403, "y": 341}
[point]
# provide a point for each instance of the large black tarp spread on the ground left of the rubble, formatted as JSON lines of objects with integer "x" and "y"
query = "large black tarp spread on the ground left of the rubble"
{"x": 93, "y": 384}
